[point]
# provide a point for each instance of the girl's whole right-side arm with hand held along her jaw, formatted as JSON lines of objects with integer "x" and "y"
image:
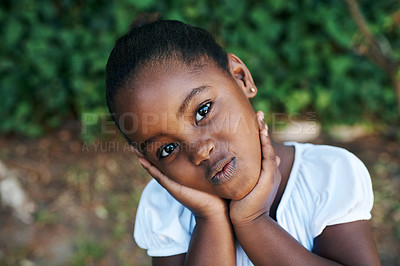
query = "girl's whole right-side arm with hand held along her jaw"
{"x": 266, "y": 243}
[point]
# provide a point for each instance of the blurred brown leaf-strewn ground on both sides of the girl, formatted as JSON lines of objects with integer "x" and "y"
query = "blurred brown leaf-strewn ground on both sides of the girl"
{"x": 85, "y": 196}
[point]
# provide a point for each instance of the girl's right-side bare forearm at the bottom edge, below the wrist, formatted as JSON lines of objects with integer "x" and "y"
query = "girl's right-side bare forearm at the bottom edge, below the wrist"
{"x": 266, "y": 243}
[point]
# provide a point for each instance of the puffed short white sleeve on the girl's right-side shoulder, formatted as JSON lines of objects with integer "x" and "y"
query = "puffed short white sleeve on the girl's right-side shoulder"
{"x": 347, "y": 194}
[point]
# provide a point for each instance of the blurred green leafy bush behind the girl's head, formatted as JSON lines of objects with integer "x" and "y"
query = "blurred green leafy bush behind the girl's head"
{"x": 301, "y": 54}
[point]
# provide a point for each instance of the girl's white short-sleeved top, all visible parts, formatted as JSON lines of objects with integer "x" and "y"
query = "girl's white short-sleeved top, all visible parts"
{"x": 327, "y": 186}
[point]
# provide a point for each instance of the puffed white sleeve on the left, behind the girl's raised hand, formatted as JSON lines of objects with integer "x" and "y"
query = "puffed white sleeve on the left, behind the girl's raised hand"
{"x": 163, "y": 226}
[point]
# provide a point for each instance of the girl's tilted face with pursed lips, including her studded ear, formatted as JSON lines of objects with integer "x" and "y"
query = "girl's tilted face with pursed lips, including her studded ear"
{"x": 196, "y": 125}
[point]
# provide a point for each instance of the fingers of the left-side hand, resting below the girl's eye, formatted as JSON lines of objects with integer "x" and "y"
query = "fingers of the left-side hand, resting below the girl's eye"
{"x": 173, "y": 187}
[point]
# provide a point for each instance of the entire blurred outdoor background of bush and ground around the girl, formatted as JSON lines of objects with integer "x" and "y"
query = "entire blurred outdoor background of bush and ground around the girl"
{"x": 326, "y": 71}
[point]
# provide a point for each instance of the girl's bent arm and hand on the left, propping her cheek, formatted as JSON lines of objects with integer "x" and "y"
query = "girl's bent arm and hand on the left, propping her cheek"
{"x": 212, "y": 242}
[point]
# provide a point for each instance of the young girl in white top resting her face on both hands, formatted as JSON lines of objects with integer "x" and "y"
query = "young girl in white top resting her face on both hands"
{"x": 222, "y": 193}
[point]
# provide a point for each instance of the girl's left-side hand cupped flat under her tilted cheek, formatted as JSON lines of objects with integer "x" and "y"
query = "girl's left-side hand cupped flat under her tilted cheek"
{"x": 201, "y": 204}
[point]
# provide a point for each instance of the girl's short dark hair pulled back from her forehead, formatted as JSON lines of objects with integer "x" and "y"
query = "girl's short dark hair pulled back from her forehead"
{"x": 157, "y": 42}
